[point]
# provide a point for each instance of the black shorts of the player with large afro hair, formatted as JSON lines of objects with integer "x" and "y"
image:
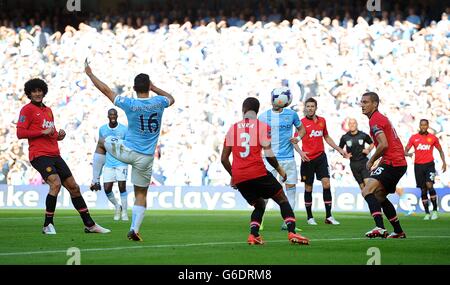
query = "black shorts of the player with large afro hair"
{"x": 48, "y": 165}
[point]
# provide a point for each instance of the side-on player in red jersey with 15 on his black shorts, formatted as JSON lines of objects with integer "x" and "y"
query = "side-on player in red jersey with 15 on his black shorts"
{"x": 384, "y": 178}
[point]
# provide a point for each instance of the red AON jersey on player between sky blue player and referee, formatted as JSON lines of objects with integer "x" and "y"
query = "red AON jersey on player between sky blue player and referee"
{"x": 312, "y": 142}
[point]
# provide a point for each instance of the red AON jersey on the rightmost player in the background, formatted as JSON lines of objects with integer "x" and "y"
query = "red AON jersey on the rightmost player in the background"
{"x": 423, "y": 146}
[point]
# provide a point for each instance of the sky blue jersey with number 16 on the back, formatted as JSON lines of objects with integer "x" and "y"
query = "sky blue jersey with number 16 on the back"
{"x": 144, "y": 121}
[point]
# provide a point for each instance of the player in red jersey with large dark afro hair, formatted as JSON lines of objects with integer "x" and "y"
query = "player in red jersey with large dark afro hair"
{"x": 36, "y": 123}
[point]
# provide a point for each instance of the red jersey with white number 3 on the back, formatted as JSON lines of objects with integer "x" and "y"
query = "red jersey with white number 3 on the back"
{"x": 247, "y": 138}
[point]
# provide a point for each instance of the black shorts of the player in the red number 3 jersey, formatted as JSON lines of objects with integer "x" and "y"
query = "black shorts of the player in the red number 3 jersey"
{"x": 262, "y": 187}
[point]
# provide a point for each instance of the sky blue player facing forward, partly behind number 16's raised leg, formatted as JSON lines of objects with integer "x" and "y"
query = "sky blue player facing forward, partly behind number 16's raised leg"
{"x": 114, "y": 170}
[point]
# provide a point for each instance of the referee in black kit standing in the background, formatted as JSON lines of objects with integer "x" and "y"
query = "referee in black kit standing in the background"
{"x": 355, "y": 142}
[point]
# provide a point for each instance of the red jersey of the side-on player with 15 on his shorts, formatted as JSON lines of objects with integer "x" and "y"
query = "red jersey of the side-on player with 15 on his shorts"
{"x": 394, "y": 155}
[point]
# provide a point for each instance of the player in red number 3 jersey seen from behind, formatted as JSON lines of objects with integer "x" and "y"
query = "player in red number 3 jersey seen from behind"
{"x": 246, "y": 139}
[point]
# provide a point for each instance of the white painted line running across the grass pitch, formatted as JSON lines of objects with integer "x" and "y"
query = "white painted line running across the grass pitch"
{"x": 187, "y": 245}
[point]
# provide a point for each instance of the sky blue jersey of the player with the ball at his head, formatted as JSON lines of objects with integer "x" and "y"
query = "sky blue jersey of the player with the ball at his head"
{"x": 281, "y": 130}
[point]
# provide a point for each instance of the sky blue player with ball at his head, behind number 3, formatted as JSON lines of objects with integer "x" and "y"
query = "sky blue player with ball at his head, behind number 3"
{"x": 282, "y": 121}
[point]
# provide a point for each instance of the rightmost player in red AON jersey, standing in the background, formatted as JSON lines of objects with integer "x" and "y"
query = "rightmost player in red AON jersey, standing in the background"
{"x": 424, "y": 169}
